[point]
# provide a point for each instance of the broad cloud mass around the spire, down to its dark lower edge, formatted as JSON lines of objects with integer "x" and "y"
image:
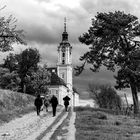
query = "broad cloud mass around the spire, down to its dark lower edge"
{"x": 42, "y": 20}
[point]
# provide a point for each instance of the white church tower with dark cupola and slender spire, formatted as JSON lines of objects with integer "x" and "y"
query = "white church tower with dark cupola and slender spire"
{"x": 64, "y": 64}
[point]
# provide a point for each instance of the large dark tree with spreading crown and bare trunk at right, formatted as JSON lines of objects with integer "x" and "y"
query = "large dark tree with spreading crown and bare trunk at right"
{"x": 113, "y": 44}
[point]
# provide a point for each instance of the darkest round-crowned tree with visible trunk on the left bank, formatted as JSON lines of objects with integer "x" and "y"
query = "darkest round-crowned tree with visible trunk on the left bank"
{"x": 27, "y": 63}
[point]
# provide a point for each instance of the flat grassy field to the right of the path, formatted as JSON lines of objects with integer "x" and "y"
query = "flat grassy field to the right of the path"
{"x": 98, "y": 124}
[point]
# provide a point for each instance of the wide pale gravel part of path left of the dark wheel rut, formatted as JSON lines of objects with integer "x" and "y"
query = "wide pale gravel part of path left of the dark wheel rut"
{"x": 28, "y": 126}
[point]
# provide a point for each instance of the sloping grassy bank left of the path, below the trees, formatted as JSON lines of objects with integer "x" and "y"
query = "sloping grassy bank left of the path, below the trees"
{"x": 13, "y": 104}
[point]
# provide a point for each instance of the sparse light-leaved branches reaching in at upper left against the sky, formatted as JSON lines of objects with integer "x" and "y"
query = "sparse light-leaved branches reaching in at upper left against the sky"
{"x": 9, "y": 34}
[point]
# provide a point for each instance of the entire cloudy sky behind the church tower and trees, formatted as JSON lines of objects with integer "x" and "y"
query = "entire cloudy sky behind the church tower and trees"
{"x": 43, "y": 23}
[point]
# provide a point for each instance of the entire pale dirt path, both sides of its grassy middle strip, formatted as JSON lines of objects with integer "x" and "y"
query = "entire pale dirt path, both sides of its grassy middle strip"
{"x": 33, "y": 127}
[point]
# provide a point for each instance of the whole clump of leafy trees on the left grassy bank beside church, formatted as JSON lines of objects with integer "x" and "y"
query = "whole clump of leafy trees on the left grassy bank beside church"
{"x": 21, "y": 72}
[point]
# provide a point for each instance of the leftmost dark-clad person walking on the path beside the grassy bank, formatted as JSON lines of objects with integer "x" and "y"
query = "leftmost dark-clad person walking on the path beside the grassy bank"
{"x": 38, "y": 103}
